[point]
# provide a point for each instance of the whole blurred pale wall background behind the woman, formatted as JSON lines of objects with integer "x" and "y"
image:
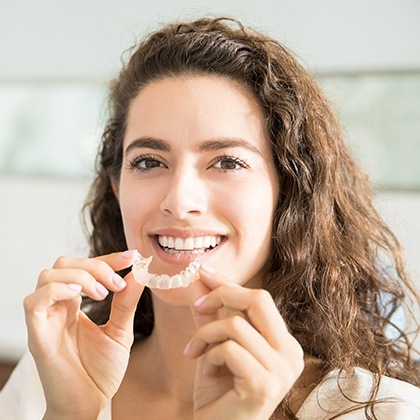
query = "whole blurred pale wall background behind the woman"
{"x": 58, "y": 56}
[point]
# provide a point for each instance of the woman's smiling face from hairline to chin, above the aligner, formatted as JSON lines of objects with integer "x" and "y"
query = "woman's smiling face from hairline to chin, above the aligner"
{"x": 197, "y": 178}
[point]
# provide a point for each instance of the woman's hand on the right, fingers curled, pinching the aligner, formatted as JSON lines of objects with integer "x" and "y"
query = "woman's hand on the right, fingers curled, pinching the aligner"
{"x": 247, "y": 359}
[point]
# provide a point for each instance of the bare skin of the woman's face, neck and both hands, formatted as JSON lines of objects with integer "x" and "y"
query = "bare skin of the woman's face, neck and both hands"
{"x": 219, "y": 348}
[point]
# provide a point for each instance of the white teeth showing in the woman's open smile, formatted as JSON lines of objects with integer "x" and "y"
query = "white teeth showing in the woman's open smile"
{"x": 189, "y": 245}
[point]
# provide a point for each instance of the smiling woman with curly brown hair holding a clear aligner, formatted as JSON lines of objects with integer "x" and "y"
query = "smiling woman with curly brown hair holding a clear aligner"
{"x": 220, "y": 147}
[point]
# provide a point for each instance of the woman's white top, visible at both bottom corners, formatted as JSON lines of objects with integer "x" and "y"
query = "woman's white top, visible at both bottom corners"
{"x": 22, "y": 398}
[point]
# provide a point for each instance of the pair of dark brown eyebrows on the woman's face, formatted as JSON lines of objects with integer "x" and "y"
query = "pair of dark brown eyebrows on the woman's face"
{"x": 206, "y": 146}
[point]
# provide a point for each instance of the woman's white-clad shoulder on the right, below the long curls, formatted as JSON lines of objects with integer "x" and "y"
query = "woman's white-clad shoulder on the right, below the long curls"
{"x": 340, "y": 391}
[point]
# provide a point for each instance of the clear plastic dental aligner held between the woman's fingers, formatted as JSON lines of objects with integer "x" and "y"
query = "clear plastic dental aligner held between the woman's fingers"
{"x": 183, "y": 279}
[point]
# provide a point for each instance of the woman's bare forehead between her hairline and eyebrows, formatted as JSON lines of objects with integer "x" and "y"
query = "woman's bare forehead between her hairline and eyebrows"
{"x": 198, "y": 108}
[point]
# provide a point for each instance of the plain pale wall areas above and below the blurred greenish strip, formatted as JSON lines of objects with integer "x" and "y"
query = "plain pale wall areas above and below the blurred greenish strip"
{"x": 82, "y": 40}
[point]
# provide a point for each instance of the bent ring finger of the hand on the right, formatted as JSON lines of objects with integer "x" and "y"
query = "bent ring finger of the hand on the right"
{"x": 237, "y": 329}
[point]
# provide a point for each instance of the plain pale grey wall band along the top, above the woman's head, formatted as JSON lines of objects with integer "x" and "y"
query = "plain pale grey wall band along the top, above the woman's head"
{"x": 79, "y": 39}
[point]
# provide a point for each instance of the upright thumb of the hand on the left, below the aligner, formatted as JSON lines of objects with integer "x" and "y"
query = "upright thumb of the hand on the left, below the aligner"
{"x": 123, "y": 308}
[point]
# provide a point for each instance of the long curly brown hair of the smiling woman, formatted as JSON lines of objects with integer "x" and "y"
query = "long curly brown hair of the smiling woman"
{"x": 336, "y": 271}
